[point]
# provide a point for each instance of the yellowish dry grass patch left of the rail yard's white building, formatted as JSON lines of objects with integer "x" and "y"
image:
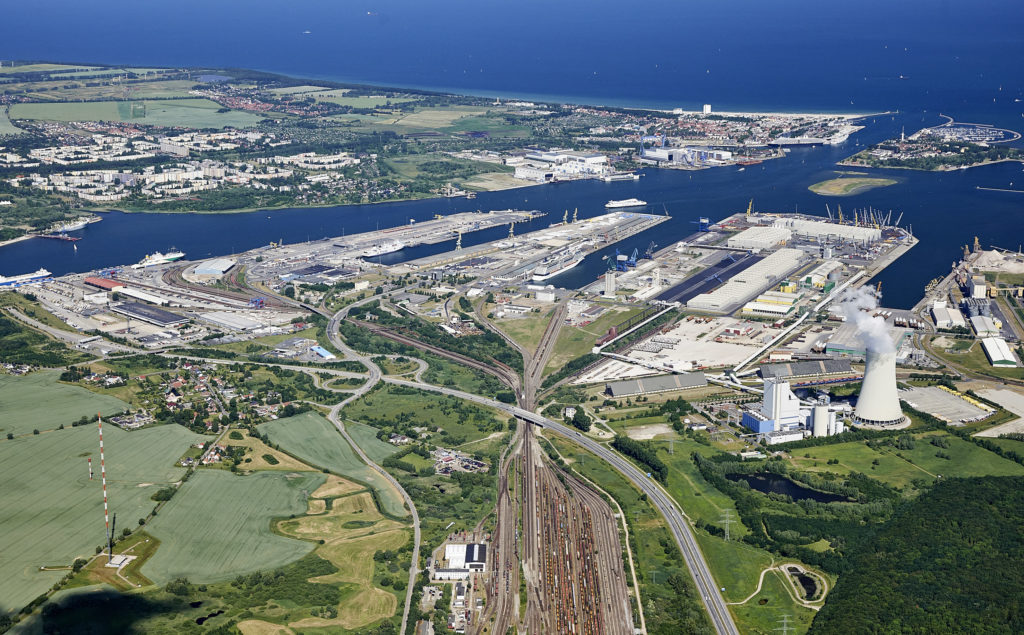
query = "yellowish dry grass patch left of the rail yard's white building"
{"x": 353, "y": 530}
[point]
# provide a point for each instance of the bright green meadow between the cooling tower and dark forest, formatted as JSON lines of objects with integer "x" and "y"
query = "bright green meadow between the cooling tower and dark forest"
{"x": 920, "y": 463}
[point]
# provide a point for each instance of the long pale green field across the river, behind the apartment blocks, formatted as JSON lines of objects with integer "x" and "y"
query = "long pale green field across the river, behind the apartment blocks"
{"x": 187, "y": 113}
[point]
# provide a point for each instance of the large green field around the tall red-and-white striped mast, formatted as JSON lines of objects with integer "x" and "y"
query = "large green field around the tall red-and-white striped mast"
{"x": 53, "y": 514}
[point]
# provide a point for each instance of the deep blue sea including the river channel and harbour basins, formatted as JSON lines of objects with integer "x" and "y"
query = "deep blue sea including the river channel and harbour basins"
{"x": 912, "y": 60}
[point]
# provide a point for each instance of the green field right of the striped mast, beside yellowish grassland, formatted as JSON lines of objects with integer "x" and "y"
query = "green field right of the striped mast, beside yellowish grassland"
{"x": 219, "y": 526}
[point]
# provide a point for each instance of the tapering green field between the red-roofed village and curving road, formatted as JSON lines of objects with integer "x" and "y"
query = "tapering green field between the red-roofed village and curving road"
{"x": 314, "y": 439}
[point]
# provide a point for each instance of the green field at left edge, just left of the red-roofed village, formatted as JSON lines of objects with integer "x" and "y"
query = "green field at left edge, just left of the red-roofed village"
{"x": 21, "y": 400}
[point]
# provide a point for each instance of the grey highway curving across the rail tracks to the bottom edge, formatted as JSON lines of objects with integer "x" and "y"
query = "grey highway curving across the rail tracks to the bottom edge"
{"x": 710, "y": 595}
